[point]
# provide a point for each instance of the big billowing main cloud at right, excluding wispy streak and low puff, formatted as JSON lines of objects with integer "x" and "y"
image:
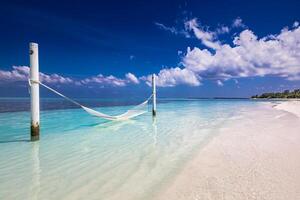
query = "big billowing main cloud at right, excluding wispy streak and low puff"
{"x": 250, "y": 56}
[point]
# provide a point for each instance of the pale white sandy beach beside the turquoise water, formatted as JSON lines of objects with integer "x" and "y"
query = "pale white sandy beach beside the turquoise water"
{"x": 258, "y": 158}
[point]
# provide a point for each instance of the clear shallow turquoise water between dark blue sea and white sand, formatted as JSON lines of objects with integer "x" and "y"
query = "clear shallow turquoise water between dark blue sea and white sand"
{"x": 83, "y": 157}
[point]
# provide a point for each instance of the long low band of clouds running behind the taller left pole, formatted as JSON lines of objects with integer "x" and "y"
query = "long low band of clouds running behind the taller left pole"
{"x": 21, "y": 73}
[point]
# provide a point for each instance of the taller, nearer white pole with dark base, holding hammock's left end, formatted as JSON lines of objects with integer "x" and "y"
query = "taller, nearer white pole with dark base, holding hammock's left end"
{"x": 34, "y": 91}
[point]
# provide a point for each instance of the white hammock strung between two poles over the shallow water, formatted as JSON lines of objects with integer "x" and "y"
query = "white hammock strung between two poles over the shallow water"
{"x": 133, "y": 112}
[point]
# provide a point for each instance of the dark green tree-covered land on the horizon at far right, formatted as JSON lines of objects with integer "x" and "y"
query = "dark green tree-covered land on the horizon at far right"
{"x": 279, "y": 95}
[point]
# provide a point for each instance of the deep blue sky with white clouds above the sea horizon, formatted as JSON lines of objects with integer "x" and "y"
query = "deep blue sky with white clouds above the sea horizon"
{"x": 111, "y": 48}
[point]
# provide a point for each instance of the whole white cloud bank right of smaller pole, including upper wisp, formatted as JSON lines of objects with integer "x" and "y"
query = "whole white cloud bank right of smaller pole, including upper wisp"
{"x": 248, "y": 56}
